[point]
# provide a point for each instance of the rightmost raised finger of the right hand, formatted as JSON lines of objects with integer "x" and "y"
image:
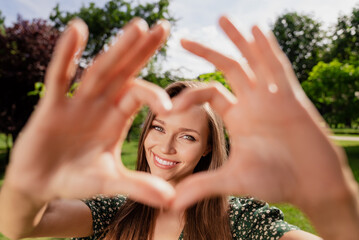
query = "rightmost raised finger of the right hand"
{"x": 272, "y": 58}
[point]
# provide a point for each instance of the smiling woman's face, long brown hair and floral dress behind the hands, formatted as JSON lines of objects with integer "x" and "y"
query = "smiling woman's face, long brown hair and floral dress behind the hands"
{"x": 191, "y": 142}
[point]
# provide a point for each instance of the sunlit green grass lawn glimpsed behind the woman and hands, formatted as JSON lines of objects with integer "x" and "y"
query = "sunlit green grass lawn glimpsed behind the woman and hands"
{"x": 291, "y": 213}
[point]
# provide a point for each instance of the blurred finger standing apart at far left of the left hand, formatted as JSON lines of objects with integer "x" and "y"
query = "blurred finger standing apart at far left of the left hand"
{"x": 64, "y": 63}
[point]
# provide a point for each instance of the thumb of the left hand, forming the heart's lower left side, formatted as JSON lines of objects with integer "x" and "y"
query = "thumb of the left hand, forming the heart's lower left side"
{"x": 109, "y": 177}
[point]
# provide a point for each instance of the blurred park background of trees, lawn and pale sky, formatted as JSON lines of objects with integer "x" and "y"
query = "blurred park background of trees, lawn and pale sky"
{"x": 321, "y": 39}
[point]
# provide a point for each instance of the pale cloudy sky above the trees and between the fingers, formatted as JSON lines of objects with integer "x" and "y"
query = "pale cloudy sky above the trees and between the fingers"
{"x": 197, "y": 20}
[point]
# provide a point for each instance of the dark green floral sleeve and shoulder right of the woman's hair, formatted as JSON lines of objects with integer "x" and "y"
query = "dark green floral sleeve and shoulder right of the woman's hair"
{"x": 251, "y": 219}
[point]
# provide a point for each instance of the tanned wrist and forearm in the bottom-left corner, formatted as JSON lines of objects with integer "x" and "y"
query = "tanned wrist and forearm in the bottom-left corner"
{"x": 20, "y": 213}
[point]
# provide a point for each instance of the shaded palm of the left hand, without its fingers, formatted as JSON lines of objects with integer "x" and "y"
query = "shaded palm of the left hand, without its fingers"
{"x": 79, "y": 144}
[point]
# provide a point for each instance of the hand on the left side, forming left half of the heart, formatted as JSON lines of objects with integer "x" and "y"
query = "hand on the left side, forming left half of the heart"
{"x": 70, "y": 146}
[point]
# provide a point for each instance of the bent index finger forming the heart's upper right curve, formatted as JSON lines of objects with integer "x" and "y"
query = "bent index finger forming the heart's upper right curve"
{"x": 220, "y": 99}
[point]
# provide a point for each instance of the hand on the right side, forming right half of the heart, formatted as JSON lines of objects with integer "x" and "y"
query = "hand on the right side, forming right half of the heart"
{"x": 280, "y": 151}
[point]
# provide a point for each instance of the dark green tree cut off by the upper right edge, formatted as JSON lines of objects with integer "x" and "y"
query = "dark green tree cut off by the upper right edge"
{"x": 345, "y": 39}
